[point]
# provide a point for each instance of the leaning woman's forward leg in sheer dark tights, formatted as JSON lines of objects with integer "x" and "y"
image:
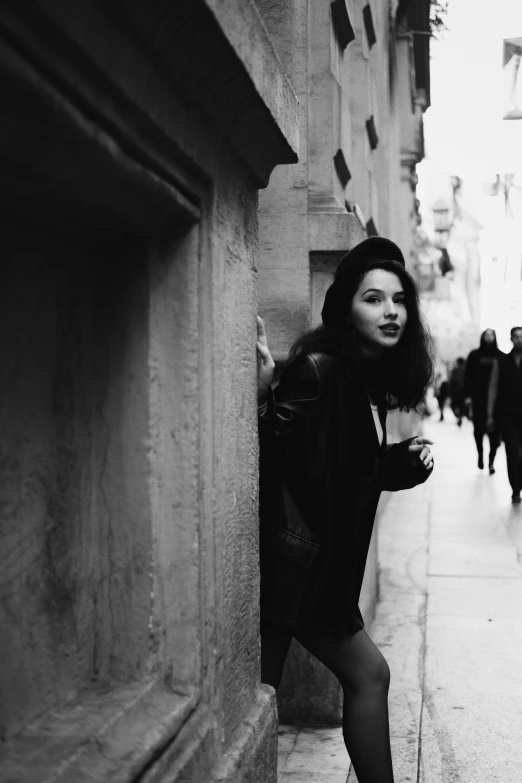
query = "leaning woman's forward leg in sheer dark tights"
{"x": 365, "y": 677}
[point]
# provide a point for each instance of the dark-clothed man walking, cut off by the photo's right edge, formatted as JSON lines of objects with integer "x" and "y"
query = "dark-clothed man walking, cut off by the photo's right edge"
{"x": 505, "y": 402}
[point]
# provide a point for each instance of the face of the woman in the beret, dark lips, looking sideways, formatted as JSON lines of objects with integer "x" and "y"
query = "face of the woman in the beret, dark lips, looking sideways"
{"x": 378, "y": 313}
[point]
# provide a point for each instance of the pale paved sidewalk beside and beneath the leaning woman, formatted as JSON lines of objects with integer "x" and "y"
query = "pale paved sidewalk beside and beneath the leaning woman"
{"x": 450, "y": 625}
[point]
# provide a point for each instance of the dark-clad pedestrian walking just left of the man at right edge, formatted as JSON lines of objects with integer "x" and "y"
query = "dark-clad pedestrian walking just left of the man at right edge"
{"x": 479, "y": 366}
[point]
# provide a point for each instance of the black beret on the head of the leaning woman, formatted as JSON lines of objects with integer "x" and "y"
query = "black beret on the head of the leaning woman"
{"x": 351, "y": 265}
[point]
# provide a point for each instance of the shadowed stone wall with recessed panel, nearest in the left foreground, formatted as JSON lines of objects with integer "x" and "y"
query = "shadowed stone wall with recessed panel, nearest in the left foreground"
{"x": 135, "y": 137}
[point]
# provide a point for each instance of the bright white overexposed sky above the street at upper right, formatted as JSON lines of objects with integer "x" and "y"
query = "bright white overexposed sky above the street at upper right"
{"x": 466, "y": 135}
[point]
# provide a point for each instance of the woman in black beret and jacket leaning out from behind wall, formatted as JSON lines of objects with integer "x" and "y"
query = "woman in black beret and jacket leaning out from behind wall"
{"x": 324, "y": 462}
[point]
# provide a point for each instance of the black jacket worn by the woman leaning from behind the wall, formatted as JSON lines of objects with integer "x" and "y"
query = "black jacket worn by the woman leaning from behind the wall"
{"x": 322, "y": 472}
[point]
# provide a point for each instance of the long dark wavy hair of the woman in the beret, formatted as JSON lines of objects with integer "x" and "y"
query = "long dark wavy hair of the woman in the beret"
{"x": 400, "y": 378}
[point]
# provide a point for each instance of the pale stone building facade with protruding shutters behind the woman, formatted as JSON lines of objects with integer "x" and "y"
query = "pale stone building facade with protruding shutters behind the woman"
{"x": 361, "y": 72}
